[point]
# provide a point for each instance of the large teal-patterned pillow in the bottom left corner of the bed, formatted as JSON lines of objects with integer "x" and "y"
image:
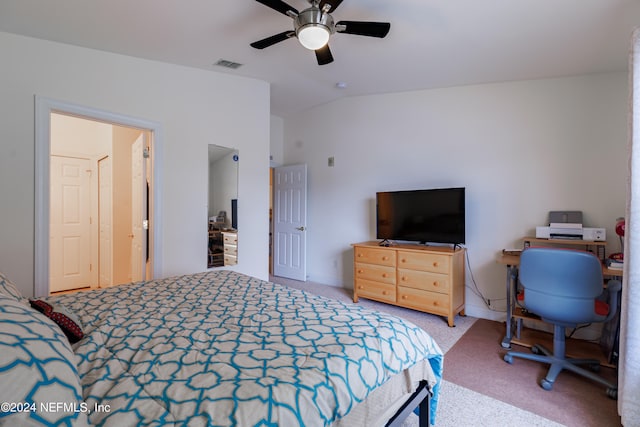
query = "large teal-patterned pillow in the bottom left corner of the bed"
{"x": 38, "y": 374}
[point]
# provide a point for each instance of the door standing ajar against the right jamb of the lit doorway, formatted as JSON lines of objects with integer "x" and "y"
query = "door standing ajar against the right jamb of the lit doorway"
{"x": 138, "y": 210}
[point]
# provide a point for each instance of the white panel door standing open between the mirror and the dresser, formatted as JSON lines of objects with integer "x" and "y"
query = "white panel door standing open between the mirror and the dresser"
{"x": 290, "y": 222}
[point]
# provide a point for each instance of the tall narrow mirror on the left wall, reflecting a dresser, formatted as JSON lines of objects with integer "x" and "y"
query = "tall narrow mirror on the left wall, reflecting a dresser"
{"x": 223, "y": 207}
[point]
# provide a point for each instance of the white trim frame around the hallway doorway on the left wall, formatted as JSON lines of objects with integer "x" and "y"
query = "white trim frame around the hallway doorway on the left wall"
{"x": 43, "y": 109}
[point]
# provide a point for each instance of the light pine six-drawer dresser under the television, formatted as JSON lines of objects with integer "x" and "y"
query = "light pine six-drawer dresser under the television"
{"x": 424, "y": 278}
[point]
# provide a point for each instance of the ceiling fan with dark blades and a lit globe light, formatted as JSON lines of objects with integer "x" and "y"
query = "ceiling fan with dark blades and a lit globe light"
{"x": 313, "y": 27}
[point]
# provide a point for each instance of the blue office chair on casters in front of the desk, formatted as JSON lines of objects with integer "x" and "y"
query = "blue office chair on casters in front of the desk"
{"x": 565, "y": 288}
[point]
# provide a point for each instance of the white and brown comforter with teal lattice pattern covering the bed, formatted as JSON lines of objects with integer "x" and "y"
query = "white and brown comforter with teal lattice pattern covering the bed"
{"x": 225, "y": 349}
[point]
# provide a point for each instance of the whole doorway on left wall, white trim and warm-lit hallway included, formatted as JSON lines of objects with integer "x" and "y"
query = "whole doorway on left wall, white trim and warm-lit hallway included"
{"x": 97, "y": 204}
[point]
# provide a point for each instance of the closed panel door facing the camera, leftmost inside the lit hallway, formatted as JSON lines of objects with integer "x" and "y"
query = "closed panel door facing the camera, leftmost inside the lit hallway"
{"x": 70, "y": 232}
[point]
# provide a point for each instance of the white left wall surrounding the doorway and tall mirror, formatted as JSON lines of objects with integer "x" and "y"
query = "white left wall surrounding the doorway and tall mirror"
{"x": 194, "y": 108}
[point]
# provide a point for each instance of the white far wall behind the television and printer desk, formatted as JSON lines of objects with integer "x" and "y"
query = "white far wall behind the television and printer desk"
{"x": 521, "y": 149}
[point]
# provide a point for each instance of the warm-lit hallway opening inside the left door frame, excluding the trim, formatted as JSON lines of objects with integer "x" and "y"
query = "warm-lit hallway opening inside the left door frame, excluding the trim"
{"x": 98, "y": 209}
